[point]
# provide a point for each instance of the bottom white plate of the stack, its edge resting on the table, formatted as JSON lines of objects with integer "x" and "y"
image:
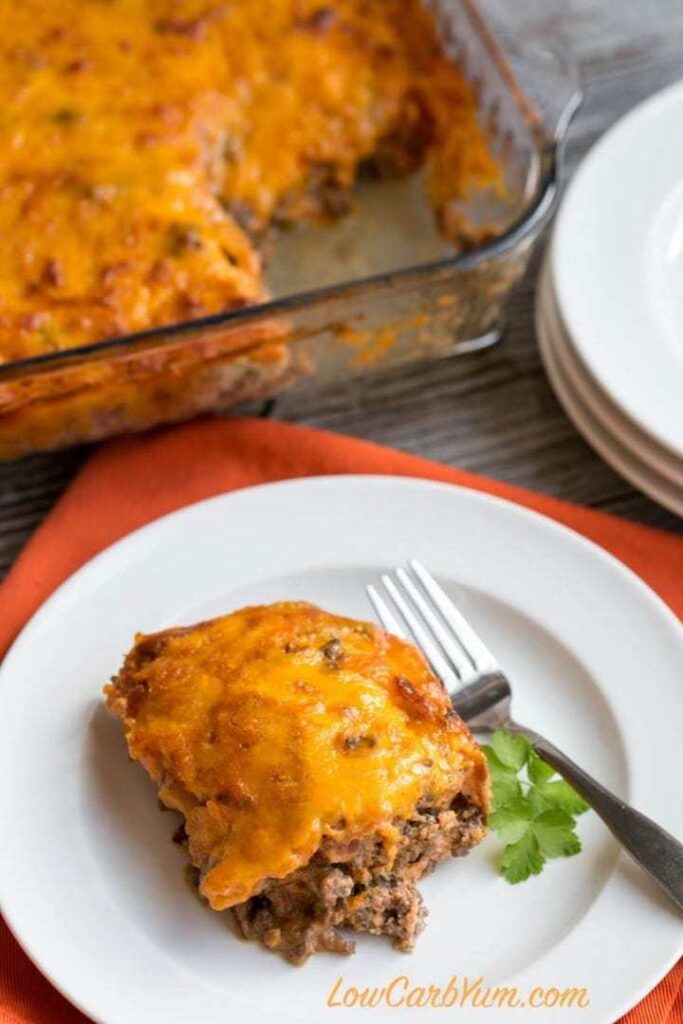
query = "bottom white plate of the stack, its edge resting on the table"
{"x": 611, "y": 447}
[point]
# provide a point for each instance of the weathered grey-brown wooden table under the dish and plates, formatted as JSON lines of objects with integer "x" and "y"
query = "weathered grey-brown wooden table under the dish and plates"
{"x": 493, "y": 413}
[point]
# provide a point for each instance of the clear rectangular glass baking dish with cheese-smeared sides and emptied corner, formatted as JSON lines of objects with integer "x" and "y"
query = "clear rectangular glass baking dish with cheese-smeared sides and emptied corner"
{"x": 378, "y": 288}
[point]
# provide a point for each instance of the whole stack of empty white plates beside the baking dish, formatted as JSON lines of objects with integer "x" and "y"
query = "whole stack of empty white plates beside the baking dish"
{"x": 610, "y": 309}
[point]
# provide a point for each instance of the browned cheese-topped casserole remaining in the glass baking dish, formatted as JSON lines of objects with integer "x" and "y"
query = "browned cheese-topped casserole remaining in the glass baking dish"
{"x": 145, "y": 145}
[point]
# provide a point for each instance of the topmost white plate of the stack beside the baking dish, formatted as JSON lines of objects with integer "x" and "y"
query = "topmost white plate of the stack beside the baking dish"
{"x": 618, "y": 266}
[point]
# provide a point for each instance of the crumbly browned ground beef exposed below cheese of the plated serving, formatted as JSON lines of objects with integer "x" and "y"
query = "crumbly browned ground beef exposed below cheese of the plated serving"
{"x": 350, "y": 886}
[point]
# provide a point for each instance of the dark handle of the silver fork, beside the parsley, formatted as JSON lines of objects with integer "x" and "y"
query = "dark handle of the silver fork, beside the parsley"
{"x": 655, "y": 849}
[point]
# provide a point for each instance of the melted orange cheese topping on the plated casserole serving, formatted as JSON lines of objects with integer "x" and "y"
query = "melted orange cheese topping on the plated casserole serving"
{"x": 277, "y": 728}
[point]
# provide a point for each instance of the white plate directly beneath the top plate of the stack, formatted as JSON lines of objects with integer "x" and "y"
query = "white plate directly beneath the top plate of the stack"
{"x": 610, "y": 416}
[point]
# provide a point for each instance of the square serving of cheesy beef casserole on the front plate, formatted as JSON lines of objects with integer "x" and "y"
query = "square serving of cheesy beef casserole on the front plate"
{"x": 318, "y": 763}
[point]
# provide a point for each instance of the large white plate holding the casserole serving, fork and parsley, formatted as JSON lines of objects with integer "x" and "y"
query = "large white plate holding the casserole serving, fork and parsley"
{"x": 93, "y": 885}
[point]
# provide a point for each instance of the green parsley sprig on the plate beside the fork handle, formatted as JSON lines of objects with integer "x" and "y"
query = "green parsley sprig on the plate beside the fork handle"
{"x": 534, "y": 817}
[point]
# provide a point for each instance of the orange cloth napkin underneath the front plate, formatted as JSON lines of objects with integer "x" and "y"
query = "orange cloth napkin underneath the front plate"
{"x": 133, "y": 481}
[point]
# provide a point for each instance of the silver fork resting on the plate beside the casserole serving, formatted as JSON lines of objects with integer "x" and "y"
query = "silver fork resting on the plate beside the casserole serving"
{"x": 482, "y": 695}
